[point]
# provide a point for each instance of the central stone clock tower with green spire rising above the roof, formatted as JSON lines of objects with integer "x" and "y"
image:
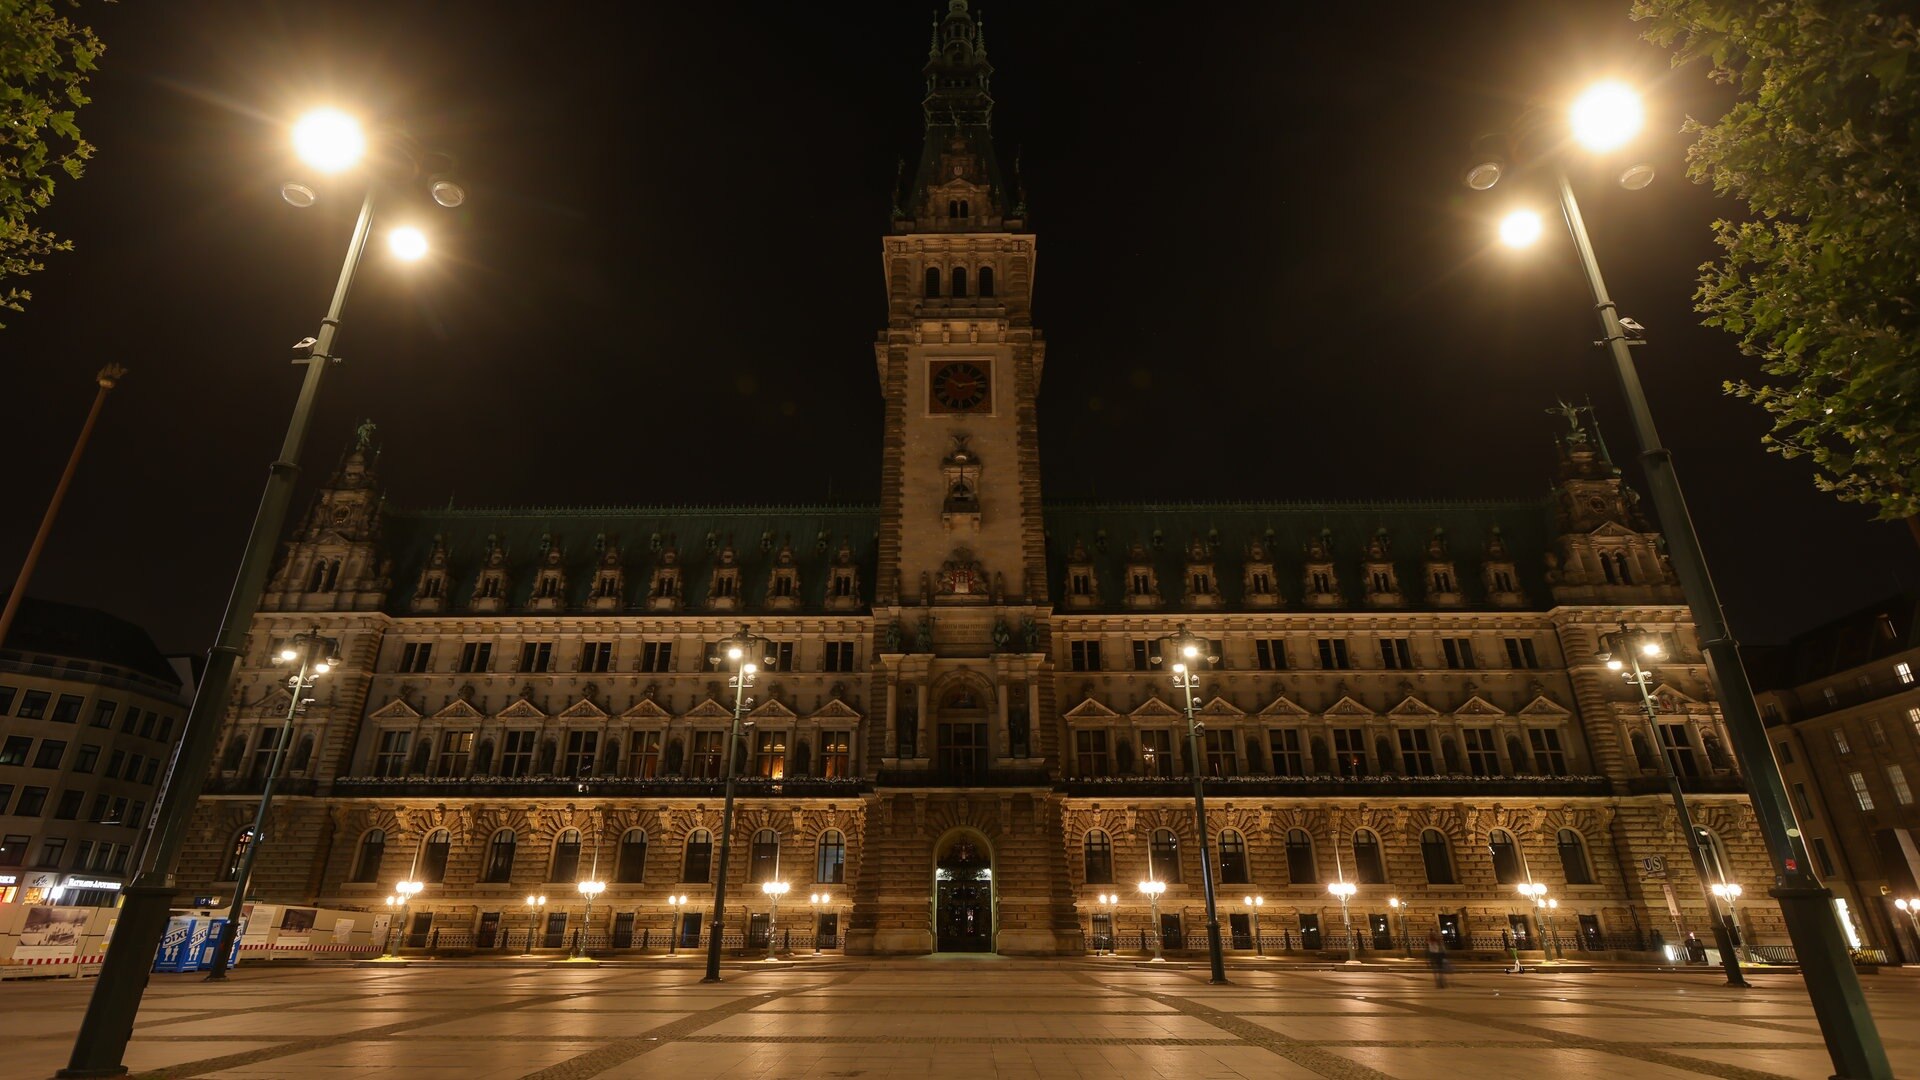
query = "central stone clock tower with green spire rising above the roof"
{"x": 959, "y": 360}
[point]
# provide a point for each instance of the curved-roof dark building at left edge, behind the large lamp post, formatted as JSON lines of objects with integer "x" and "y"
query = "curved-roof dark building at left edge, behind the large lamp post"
{"x": 89, "y": 718}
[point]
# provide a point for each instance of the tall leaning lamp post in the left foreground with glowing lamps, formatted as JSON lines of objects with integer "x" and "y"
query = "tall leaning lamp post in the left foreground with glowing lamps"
{"x": 391, "y": 164}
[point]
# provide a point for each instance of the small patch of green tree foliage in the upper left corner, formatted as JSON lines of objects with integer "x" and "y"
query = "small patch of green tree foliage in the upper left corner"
{"x": 45, "y": 61}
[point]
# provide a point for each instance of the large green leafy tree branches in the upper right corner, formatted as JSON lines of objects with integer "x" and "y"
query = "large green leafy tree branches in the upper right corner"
{"x": 1819, "y": 282}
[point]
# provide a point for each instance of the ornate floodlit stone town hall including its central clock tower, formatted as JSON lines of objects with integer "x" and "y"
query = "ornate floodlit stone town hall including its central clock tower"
{"x": 963, "y": 739}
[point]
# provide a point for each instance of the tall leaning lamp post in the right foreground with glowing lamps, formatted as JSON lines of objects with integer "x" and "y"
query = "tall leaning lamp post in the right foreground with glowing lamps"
{"x": 1535, "y": 153}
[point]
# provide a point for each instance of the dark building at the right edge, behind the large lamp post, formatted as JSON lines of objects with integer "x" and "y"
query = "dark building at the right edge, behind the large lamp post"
{"x": 1842, "y": 704}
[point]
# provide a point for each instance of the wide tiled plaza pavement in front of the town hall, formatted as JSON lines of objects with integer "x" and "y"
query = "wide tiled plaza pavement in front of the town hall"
{"x": 942, "y": 1018}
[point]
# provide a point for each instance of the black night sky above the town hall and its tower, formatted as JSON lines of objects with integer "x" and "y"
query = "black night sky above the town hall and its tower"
{"x": 1260, "y": 276}
